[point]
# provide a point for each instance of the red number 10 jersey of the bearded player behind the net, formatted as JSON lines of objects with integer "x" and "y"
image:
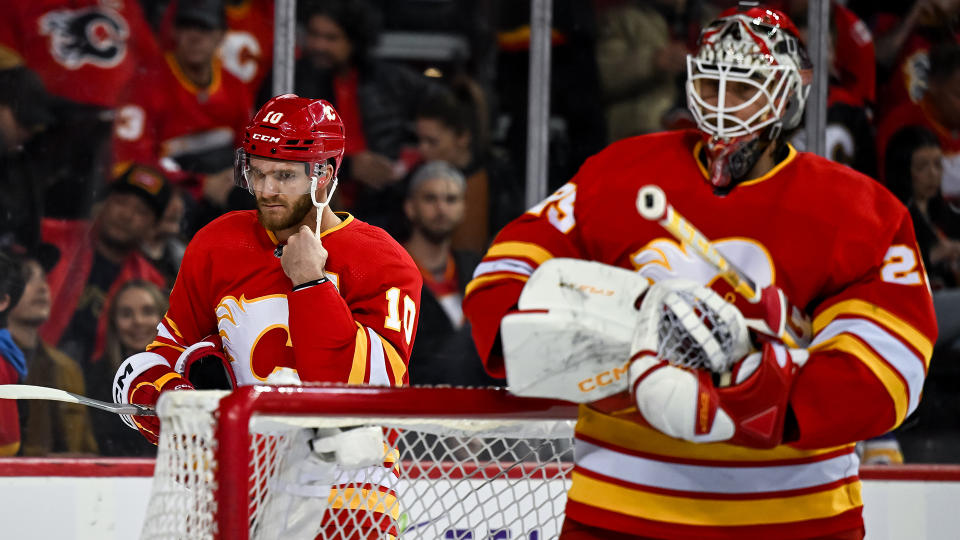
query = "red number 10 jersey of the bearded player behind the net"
{"x": 358, "y": 330}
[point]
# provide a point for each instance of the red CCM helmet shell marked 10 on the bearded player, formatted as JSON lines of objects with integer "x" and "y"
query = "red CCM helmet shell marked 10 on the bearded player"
{"x": 292, "y": 128}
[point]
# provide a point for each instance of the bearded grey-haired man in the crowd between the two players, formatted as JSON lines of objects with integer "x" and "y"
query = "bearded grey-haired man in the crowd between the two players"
{"x": 435, "y": 206}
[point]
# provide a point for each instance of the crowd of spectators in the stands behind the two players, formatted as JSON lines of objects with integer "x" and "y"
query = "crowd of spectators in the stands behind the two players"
{"x": 118, "y": 122}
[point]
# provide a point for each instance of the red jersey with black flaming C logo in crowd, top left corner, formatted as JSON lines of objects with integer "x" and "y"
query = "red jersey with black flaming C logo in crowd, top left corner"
{"x": 86, "y": 51}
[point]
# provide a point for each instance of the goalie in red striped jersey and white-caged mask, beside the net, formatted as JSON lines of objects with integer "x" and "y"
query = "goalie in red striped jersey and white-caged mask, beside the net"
{"x": 833, "y": 241}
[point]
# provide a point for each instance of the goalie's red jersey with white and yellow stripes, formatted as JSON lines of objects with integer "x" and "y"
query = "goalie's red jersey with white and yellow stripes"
{"x": 839, "y": 245}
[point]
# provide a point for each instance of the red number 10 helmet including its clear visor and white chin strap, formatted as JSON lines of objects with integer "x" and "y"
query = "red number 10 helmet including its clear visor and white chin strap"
{"x": 292, "y": 128}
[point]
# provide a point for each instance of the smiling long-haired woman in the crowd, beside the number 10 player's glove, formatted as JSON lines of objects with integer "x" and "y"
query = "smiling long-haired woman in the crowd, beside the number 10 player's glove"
{"x": 132, "y": 322}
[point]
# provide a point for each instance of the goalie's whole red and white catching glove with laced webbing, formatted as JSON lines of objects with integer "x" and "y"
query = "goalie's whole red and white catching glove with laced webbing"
{"x": 691, "y": 376}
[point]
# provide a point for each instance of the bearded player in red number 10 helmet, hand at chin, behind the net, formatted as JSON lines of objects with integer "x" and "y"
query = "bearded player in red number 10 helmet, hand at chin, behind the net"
{"x": 288, "y": 285}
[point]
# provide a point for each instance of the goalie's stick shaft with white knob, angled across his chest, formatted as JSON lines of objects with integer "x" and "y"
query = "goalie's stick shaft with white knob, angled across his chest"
{"x": 652, "y": 205}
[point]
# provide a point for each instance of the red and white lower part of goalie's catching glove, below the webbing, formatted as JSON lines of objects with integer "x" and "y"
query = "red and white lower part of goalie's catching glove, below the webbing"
{"x": 687, "y": 404}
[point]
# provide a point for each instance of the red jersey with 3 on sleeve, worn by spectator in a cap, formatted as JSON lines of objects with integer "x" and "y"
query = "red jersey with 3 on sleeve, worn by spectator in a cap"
{"x": 164, "y": 115}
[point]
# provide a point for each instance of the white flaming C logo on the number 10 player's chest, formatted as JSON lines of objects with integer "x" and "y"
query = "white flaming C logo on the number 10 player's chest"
{"x": 256, "y": 337}
